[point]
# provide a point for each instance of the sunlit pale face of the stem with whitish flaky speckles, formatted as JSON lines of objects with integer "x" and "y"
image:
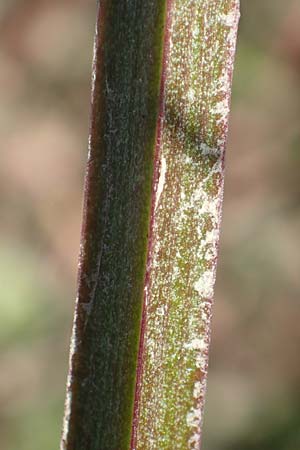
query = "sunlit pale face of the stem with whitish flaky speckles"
{"x": 185, "y": 226}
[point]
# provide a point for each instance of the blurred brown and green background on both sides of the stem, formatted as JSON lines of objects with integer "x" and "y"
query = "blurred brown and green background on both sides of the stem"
{"x": 253, "y": 400}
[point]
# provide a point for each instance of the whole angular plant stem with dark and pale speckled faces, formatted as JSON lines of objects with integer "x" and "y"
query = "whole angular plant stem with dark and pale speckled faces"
{"x": 153, "y": 194}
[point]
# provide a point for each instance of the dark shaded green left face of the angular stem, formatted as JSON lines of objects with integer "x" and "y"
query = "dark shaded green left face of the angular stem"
{"x": 126, "y": 81}
